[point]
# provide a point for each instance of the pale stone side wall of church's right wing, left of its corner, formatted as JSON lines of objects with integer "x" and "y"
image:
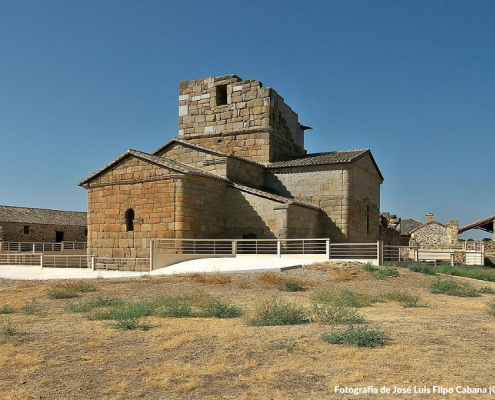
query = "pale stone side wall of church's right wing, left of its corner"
{"x": 325, "y": 186}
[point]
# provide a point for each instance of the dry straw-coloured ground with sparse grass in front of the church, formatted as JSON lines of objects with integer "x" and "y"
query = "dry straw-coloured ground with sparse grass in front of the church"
{"x": 51, "y": 353}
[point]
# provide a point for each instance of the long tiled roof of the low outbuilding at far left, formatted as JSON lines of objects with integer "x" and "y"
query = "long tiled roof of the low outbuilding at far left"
{"x": 41, "y": 216}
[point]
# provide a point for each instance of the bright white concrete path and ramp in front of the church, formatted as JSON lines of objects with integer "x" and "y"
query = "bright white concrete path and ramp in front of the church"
{"x": 205, "y": 265}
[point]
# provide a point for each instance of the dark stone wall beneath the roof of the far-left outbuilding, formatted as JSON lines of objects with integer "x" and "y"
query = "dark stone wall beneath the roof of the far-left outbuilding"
{"x": 14, "y": 232}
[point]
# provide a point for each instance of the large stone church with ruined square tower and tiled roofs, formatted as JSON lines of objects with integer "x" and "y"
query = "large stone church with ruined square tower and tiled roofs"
{"x": 238, "y": 169}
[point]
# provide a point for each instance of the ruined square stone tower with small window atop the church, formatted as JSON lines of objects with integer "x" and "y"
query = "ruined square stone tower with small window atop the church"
{"x": 239, "y": 118}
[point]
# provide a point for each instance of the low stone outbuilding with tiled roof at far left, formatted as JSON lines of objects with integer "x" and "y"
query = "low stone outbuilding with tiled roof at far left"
{"x": 23, "y": 224}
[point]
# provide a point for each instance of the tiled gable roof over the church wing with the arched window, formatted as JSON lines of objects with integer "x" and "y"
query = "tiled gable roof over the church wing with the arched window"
{"x": 160, "y": 161}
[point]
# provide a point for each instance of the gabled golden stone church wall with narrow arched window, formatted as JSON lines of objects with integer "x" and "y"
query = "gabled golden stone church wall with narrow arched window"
{"x": 136, "y": 185}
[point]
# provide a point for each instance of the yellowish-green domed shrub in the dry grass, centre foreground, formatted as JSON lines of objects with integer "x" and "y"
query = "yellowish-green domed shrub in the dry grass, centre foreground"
{"x": 273, "y": 312}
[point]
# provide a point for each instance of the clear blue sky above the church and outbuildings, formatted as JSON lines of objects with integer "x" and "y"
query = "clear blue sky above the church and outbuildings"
{"x": 83, "y": 81}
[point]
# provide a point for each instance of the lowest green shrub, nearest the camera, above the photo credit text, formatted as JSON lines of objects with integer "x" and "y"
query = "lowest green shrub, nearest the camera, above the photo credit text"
{"x": 361, "y": 336}
